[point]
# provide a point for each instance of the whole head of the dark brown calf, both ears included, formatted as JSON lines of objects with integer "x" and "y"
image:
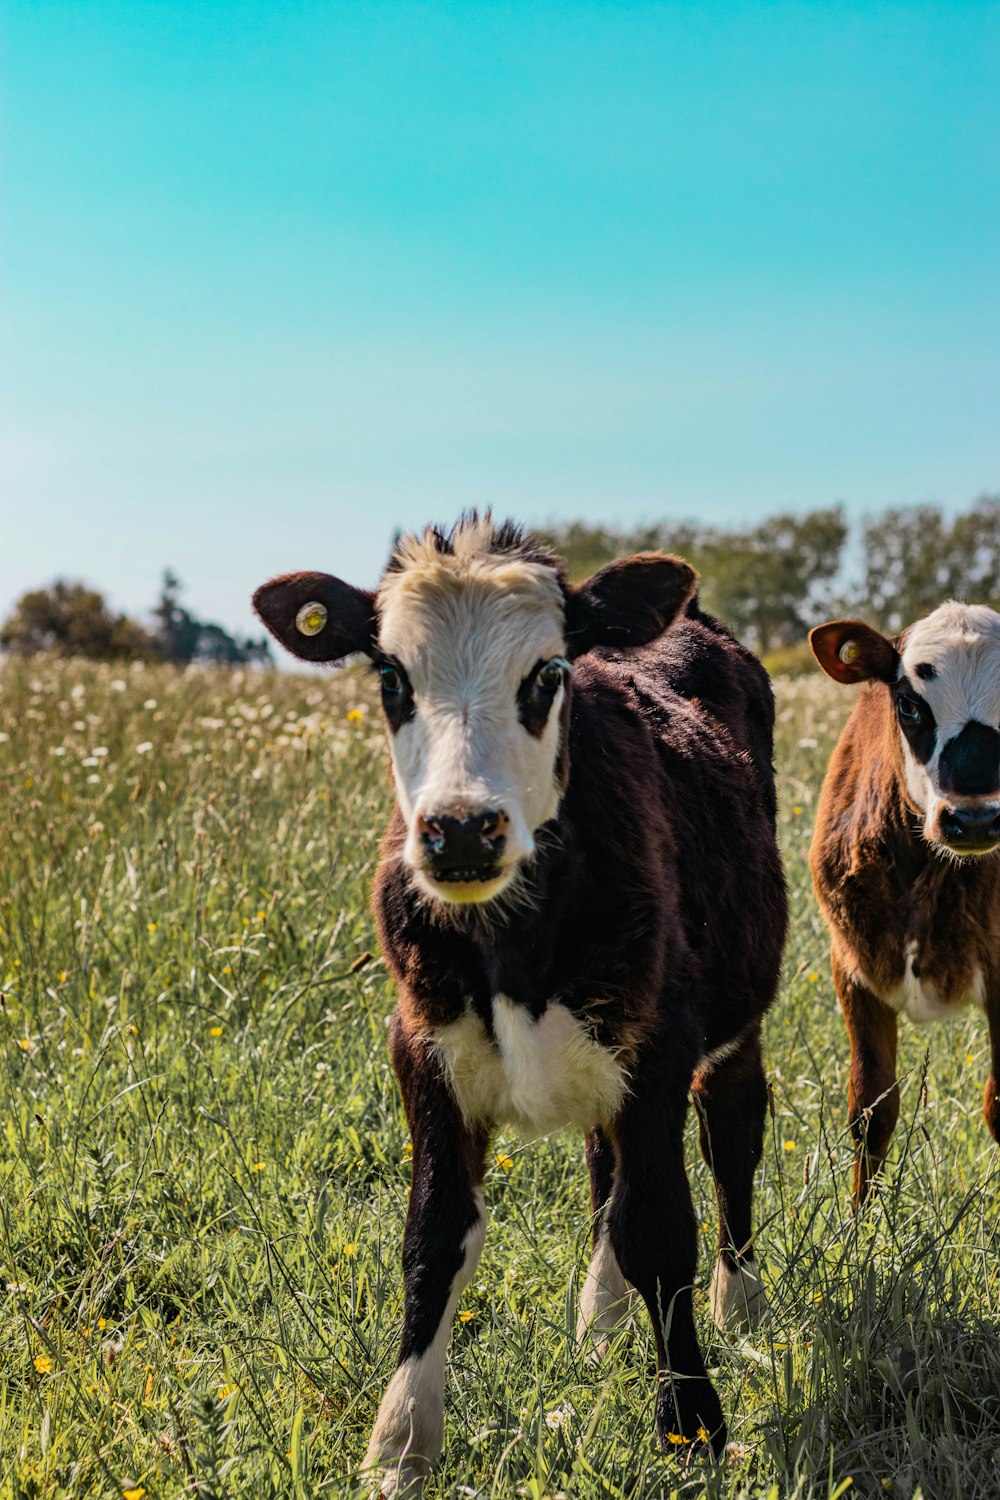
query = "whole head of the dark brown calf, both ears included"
{"x": 473, "y": 635}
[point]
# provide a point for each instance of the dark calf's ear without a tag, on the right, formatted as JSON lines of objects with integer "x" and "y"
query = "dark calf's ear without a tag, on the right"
{"x": 629, "y": 604}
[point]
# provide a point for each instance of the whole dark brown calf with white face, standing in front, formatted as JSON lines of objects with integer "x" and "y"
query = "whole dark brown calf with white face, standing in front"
{"x": 584, "y": 910}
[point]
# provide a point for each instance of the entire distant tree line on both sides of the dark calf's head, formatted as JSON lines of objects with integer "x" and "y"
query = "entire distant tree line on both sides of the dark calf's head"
{"x": 770, "y": 583}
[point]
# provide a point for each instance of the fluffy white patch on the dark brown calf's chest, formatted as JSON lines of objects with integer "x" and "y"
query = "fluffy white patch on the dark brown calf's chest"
{"x": 539, "y": 1076}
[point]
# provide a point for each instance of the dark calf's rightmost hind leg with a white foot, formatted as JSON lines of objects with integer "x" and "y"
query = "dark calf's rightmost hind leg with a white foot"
{"x": 731, "y": 1099}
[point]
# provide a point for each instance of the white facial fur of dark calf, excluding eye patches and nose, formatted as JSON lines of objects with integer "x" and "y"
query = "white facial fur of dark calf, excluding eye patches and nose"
{"x": 469, "y": 629}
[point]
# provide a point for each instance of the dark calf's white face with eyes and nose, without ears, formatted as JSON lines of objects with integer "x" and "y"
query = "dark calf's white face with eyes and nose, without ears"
{"x": 472, "y": 656}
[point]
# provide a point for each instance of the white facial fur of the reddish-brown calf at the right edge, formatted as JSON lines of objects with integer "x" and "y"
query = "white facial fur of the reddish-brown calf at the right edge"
{"x": 963, "y": 646}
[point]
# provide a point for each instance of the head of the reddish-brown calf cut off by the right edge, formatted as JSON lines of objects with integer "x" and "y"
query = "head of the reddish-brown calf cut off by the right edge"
{"x": 944, "y": 679}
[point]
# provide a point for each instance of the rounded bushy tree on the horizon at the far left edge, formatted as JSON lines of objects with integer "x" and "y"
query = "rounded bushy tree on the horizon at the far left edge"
{"x": 73, "y": 620}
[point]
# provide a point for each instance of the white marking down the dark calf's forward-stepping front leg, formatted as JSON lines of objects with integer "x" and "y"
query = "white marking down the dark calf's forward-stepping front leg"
{"x": 410, "y": 1426}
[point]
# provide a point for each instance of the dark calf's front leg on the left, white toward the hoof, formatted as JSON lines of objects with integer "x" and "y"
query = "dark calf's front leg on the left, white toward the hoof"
{"x": 446, "y": 1226}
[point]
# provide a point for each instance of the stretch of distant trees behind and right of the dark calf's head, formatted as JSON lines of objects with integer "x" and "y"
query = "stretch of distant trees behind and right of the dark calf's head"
{"x": 776, "y": 580}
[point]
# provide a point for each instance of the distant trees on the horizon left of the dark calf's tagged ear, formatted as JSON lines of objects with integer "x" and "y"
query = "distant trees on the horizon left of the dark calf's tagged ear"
{"x": 74, "y": 620}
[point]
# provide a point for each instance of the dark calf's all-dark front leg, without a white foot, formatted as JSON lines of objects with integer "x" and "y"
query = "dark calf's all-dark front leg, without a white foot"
{"x": 653, "y": 1234}
